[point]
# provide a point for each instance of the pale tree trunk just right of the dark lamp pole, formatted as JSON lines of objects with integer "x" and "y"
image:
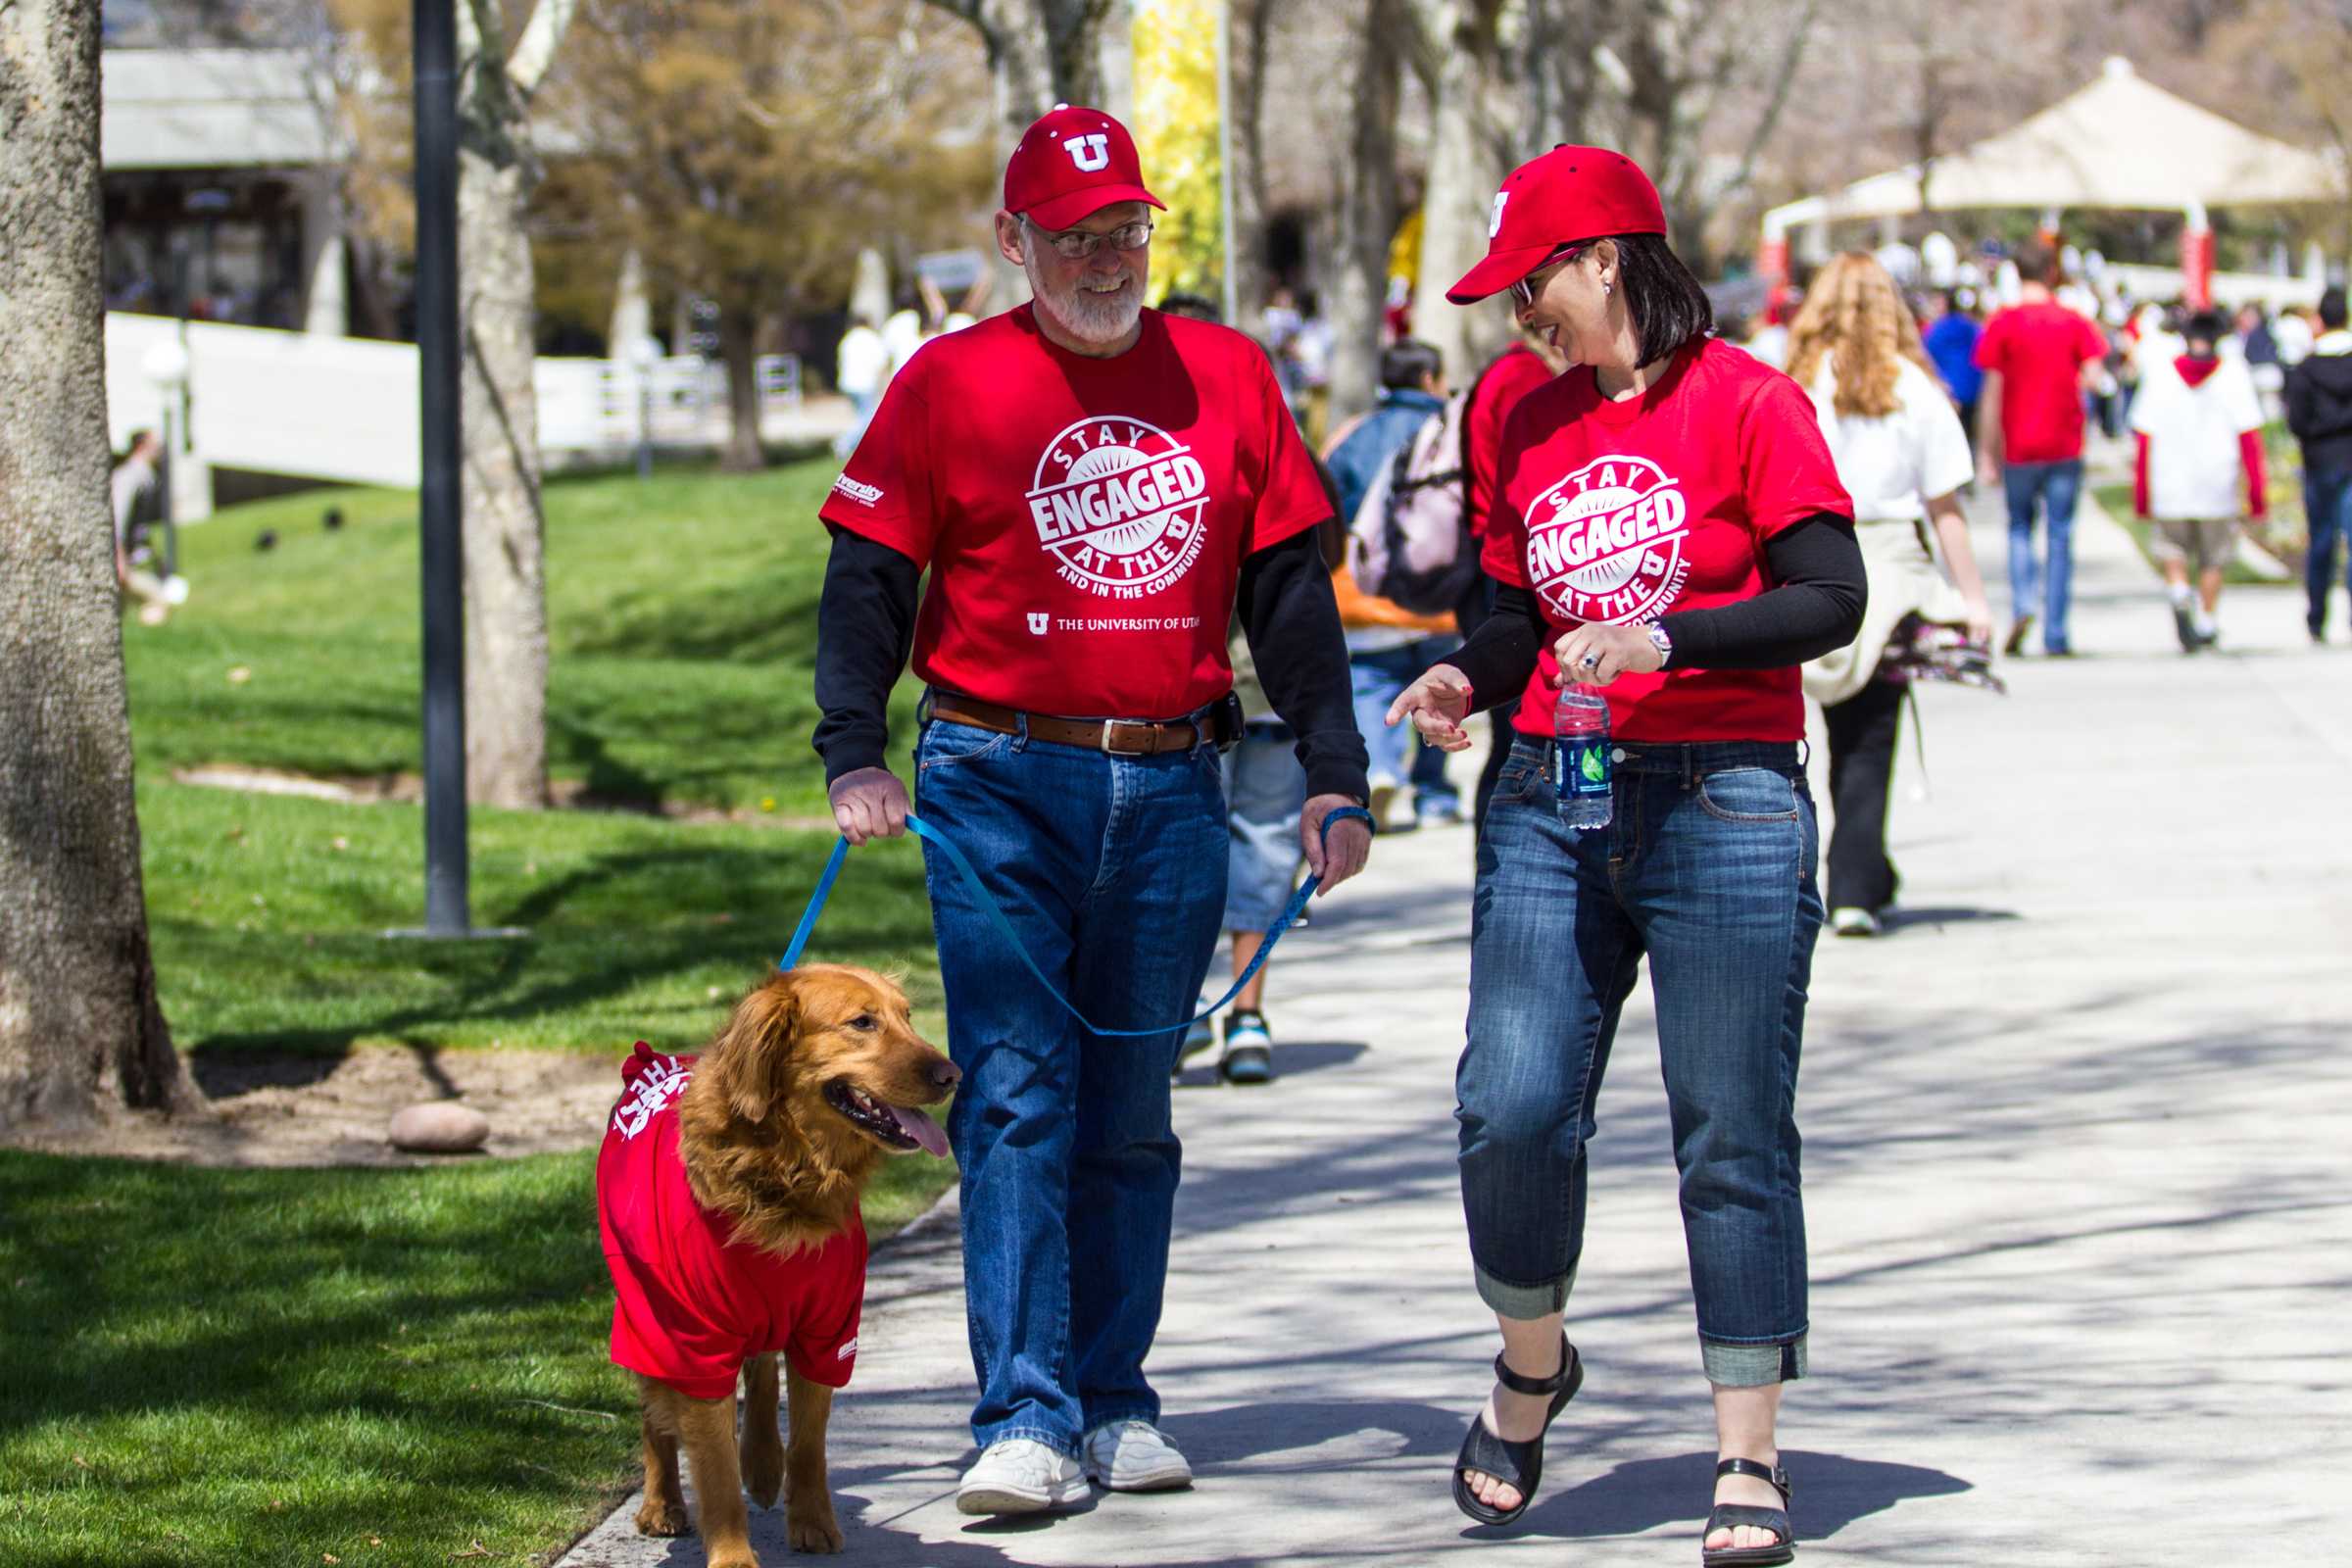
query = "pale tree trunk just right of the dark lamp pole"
{"x": 507, "y": 594}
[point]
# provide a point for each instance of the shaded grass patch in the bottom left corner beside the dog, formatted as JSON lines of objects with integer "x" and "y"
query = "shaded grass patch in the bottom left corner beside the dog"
{"x": 300, "y": 1367}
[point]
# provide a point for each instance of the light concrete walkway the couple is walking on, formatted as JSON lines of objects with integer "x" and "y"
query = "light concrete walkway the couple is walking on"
{"x": 2076, "y": 1170}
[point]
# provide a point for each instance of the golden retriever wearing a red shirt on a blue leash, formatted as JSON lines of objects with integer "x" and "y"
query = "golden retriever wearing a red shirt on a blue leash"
{"x": 775, "y": 1130}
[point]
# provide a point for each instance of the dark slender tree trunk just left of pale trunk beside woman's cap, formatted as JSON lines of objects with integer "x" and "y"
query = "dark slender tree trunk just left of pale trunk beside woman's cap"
{"x": 1368, "y": 215}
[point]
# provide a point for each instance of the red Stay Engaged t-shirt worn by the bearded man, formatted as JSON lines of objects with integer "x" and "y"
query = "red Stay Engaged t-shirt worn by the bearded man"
{"x": 1085, "y": 521}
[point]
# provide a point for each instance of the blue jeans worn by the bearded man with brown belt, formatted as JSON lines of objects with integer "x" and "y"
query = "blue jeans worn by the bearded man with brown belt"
{"x": 1114, "y": 873}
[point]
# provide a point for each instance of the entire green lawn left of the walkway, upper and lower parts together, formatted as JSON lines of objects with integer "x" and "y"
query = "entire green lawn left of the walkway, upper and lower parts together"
{"x": 385, "y": 1367}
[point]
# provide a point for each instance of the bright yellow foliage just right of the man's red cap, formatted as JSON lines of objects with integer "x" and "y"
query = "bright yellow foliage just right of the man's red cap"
{"x": 1175, "y": 46}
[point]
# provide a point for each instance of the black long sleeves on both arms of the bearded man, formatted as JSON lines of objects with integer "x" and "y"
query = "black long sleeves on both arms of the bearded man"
{"x": 867, "y": 629}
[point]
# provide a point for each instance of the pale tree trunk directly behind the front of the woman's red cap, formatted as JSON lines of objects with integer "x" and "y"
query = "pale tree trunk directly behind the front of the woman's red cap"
{"x": 1466, "y": 168}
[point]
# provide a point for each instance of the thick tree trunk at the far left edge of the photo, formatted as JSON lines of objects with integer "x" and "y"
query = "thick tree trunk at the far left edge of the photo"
{"x": 79, "y": 1014}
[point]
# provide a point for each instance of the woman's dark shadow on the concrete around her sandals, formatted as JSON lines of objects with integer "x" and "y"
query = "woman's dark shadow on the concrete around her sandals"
{"x": 1638, "y": 1496}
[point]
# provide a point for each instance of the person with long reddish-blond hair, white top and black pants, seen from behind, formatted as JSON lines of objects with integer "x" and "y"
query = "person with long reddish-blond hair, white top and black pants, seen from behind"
{"x": 1902, "y": 453}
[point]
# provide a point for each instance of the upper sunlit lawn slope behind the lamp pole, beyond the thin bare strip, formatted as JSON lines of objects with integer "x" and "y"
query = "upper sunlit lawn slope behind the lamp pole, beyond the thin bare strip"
{"x": 683, "y": 626}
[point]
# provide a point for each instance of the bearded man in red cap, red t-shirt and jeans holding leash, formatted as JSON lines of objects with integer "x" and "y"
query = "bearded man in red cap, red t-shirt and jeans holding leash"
{"x": 1095, "y": 490}
